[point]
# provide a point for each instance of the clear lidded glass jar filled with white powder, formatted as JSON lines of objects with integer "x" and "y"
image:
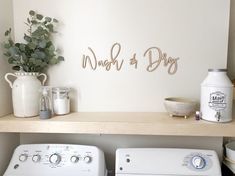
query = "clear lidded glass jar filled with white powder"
{"x": 61, "y": 100}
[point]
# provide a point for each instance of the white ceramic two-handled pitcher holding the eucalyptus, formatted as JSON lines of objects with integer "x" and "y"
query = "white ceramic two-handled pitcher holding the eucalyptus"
{"x": 25, "y": 93}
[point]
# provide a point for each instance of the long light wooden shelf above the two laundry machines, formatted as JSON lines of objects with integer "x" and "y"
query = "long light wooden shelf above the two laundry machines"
{"x": 117, "y": 123}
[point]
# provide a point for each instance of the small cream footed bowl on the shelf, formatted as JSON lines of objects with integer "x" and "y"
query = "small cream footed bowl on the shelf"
{"x": 181, "y": 107}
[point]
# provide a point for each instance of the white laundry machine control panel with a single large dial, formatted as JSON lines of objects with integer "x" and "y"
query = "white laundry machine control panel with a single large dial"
{"x": 166, "y": 162}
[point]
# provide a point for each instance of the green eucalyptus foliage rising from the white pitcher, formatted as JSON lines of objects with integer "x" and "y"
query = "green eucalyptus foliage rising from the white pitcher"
{"x": 38, "y": 51}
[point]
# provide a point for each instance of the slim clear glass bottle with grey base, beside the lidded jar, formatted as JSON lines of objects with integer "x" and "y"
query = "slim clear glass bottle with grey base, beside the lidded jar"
{"x": 45, "y": 103}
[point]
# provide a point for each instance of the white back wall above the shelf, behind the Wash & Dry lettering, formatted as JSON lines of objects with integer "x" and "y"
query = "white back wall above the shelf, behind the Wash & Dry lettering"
{"x": 196, "y": 31}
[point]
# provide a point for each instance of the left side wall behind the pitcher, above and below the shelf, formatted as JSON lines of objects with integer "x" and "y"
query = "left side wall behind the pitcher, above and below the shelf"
{"x": 7, "y": 141}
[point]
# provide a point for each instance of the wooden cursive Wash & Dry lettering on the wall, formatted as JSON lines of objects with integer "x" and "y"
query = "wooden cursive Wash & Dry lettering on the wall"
{"x": 154, "y": 58}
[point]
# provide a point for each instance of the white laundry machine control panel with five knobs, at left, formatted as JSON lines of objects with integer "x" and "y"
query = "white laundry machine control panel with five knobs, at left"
{"x": 56, "y": 159}
